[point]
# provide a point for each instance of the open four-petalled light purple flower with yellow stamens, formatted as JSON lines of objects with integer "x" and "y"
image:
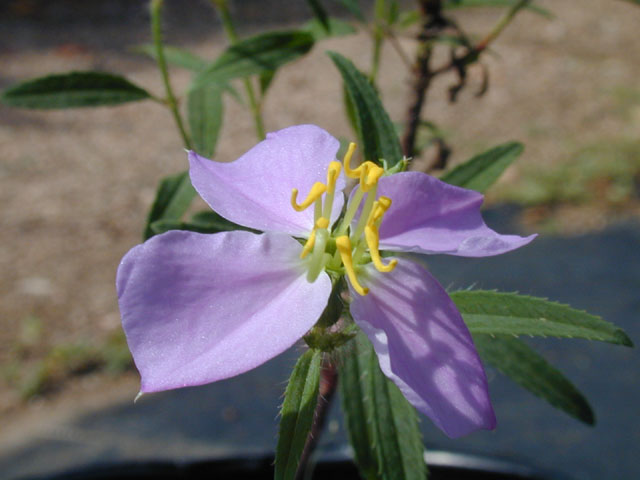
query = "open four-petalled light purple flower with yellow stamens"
{"x": 200, "y": 308}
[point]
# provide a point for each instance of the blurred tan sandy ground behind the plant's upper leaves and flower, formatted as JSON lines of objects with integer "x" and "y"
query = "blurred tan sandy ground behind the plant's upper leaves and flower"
{"x": 75, "y": 185}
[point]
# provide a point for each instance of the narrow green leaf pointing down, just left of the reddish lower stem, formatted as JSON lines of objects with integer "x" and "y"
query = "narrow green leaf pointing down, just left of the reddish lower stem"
{"x": 299, "y": 405}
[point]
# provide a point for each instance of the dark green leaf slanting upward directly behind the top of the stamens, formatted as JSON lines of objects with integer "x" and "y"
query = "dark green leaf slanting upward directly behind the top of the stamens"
{"x": 375, "y": 129}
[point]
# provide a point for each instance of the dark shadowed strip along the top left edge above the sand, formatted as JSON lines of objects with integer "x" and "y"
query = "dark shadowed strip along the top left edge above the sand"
{"x": 119, "y": 24}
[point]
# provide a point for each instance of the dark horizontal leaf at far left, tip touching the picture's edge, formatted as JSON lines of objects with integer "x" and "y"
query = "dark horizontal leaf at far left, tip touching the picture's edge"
{"x": 75, "y": 89}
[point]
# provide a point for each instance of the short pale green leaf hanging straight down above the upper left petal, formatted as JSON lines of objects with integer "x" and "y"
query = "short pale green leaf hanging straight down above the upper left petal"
{"x": 205, "y": 111}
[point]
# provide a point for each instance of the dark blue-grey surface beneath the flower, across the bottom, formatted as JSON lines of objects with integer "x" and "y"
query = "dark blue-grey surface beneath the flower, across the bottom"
{"x": 597, "y": 272}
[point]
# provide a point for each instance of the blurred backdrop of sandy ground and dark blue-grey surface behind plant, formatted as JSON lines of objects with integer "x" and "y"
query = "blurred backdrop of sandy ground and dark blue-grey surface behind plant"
{"x": 75, "y": 187}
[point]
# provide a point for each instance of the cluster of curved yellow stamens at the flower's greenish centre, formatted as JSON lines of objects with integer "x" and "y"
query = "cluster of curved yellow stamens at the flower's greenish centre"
{"x": 345, "y": 247}
